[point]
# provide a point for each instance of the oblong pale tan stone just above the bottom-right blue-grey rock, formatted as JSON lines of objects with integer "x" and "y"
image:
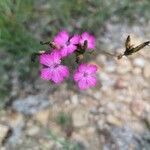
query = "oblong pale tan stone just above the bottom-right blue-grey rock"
{"x": 114, "y": 121}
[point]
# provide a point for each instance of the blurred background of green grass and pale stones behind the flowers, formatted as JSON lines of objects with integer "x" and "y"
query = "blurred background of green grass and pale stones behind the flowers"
{"x": 34, "y": 114}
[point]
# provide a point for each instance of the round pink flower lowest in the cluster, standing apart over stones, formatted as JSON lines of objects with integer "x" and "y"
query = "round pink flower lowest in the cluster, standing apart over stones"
{"x": 85, "y": 76}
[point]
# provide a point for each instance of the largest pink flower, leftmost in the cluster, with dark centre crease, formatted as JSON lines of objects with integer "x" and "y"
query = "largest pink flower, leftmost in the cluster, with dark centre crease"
{"x": 52, "y": 69}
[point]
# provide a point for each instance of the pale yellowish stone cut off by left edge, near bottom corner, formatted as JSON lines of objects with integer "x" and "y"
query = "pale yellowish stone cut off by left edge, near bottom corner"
{"x": 3, "y": 132}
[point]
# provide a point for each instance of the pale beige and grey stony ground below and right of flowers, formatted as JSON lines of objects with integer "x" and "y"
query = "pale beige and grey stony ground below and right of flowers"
{"x": 113, "y": 116}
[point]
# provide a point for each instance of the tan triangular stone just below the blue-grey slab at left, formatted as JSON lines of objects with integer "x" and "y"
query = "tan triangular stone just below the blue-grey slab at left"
{"x": 42, "y": 116}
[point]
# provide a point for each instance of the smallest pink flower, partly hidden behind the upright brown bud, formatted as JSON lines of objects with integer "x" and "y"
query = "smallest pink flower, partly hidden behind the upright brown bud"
{"x": 90, "y": 40}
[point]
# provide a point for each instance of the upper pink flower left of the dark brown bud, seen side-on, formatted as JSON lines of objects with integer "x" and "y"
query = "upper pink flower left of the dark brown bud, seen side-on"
{"x": 65, "y": 43}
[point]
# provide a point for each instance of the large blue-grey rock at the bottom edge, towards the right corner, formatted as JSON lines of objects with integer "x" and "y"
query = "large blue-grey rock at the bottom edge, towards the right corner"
{"x": 121, "y": 138}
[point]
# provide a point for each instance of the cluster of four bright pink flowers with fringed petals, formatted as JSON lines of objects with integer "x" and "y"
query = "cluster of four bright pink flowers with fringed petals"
{"x": 65, "y": 45}
